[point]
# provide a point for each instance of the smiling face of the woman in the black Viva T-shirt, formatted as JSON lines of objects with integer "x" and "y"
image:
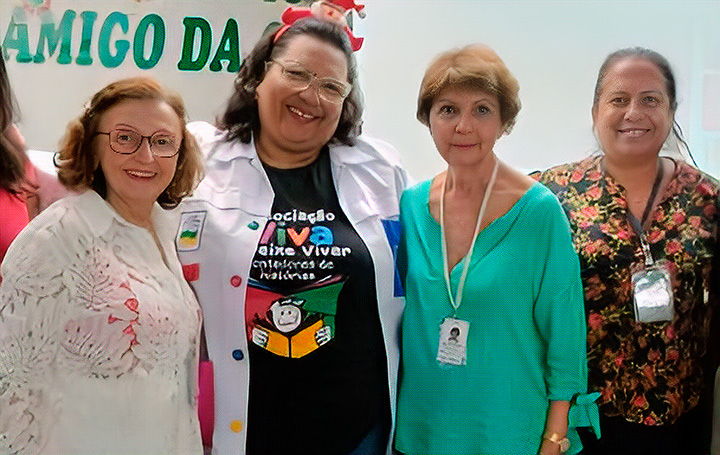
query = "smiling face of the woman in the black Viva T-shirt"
{"x": 296, "y": 124}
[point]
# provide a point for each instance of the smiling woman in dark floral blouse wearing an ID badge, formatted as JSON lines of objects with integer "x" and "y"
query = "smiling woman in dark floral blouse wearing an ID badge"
{"x": 646, "y": 229}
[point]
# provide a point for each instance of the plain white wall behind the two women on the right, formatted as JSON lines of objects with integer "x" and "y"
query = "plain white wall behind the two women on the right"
{"x": 555, "y": 49}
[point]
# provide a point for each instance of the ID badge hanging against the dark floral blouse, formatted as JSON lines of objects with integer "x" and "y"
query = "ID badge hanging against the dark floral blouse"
{"x": 652, "y": 294}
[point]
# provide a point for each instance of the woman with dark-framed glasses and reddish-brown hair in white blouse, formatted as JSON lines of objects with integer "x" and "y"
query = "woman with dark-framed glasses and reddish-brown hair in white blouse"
{"x": 99, "y": 332}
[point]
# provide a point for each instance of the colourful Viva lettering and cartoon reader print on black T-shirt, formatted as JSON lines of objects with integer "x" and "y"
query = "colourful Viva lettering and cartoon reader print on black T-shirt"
{"x": 295, "y": 280}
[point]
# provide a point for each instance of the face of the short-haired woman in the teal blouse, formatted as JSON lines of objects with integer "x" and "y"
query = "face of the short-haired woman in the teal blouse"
{"x": 465, "y": 123}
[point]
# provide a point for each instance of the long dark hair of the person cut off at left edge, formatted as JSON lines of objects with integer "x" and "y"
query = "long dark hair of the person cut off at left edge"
{"x": 11, "y": 164}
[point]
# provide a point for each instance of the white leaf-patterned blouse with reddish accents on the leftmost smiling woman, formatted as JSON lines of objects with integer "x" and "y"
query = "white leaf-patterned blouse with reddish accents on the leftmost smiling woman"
{"x": 98, "y": 337}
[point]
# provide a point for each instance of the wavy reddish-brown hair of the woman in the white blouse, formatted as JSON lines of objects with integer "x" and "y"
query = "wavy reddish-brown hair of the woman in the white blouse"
{"x": 78, "y": 163}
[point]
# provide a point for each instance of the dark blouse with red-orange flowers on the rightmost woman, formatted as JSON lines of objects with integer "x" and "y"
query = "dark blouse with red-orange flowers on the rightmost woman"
{"x": 650, "y": 373}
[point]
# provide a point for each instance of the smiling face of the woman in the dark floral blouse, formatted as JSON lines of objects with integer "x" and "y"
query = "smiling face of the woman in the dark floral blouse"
{"x": 633, "y": 116}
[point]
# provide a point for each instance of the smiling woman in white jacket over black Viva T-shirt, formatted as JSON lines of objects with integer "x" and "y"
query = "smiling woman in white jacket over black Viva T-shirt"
{"x": 289, "y": 243}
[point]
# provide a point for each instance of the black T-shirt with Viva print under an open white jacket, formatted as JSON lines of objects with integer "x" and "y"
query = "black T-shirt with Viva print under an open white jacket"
{"x": 318, "y": 379}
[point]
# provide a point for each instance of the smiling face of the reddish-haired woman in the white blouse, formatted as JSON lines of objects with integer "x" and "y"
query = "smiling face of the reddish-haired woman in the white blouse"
{"x": 136, "y": 180}
